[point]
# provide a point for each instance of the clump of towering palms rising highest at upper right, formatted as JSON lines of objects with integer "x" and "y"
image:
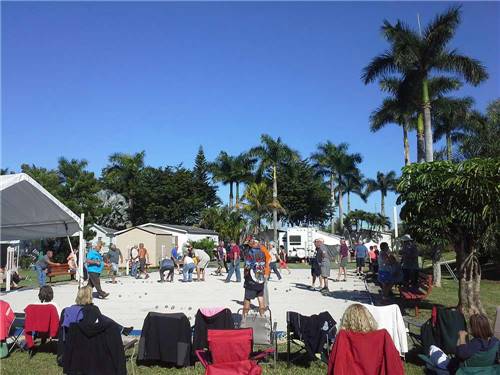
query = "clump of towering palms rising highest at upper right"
{"x": 411, "y": 72}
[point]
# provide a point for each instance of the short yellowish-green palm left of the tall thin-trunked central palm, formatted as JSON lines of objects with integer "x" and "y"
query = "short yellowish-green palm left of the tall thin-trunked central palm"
{"x": 259, "y": 204}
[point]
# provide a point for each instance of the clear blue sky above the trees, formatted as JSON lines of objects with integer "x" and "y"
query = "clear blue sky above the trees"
{"x": 86, "y": 79}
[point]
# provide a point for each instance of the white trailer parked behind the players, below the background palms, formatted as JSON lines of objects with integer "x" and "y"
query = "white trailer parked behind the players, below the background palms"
{"x": 299, "y": 241}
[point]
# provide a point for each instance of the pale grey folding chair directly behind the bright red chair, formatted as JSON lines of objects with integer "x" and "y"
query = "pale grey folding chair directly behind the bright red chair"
{"x": 264, "y": 330}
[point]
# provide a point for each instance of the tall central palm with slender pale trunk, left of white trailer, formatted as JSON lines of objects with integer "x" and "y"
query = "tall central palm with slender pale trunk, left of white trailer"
{"x": 272, "y": 152}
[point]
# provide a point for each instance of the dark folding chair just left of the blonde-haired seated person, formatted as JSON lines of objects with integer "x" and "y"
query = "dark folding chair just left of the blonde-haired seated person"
{"x": 297, "y": 336}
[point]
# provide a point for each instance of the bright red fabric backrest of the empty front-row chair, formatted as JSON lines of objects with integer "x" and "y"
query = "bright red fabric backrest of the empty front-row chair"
{"x": 230, "y": 345}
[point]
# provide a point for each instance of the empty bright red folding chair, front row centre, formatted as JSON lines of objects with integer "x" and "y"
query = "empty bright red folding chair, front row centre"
{"x": 230, "y": 353}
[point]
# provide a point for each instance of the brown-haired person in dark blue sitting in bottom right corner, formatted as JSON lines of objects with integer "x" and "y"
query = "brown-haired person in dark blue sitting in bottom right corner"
{"x": 481, "y": 351}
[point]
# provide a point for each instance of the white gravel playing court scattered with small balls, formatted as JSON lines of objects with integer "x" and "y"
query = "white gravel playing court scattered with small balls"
{"x": 130, "y": 300}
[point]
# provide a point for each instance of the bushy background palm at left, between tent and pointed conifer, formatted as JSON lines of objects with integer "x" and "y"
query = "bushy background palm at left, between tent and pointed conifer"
{"x": 122, "y": 175}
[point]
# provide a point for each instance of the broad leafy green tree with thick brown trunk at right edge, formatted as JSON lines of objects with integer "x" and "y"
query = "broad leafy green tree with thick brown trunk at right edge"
{"x": 458, "y": 203}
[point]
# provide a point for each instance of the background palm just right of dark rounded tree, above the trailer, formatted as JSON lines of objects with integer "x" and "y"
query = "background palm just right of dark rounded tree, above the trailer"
{"x": 334, "y": 161}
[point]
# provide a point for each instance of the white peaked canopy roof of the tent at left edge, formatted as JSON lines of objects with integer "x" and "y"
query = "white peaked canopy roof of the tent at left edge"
{"x": 28, "y": 211}
